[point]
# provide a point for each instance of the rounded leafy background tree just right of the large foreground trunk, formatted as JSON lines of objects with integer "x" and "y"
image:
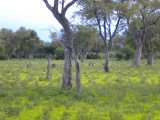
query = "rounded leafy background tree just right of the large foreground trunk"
{"x": 85, "y": 38}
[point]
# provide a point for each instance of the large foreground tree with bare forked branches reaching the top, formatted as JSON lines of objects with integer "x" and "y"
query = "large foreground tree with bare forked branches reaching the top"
{"x": 59, "y": 10}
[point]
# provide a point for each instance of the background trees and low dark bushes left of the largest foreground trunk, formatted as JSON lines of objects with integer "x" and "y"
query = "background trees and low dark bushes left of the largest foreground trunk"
{"x": 25, "y": 43}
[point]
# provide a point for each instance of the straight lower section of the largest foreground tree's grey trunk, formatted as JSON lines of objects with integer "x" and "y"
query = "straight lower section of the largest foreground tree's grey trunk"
{"x": 67, "y": 74}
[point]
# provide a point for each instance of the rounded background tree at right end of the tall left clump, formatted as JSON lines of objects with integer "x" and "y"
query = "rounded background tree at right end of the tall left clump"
{"x": 28, "y": 42}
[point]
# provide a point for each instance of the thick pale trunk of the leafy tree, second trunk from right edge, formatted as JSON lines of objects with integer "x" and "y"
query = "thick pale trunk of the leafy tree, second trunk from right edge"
{"x": 137, "y": 58}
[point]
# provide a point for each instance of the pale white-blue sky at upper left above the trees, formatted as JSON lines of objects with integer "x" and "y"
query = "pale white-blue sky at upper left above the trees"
{"x": 32, "y": 14}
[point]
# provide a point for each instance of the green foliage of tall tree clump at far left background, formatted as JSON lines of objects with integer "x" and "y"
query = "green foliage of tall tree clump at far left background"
{"x": 23, "y": 42}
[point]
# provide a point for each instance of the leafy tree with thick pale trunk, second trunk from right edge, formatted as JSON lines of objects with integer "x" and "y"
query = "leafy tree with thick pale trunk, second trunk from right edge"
{"x": 139, "y": 18}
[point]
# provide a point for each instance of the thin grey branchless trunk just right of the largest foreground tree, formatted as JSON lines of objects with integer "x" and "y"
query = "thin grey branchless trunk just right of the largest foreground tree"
{"x": 78, "y": 80}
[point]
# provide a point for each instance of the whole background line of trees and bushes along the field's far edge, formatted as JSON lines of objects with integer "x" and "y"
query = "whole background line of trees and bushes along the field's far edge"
{"x": 26, "y": 44}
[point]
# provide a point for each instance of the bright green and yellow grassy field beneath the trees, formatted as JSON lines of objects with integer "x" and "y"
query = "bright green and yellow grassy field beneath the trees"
{"x": 126, "y": 93}
